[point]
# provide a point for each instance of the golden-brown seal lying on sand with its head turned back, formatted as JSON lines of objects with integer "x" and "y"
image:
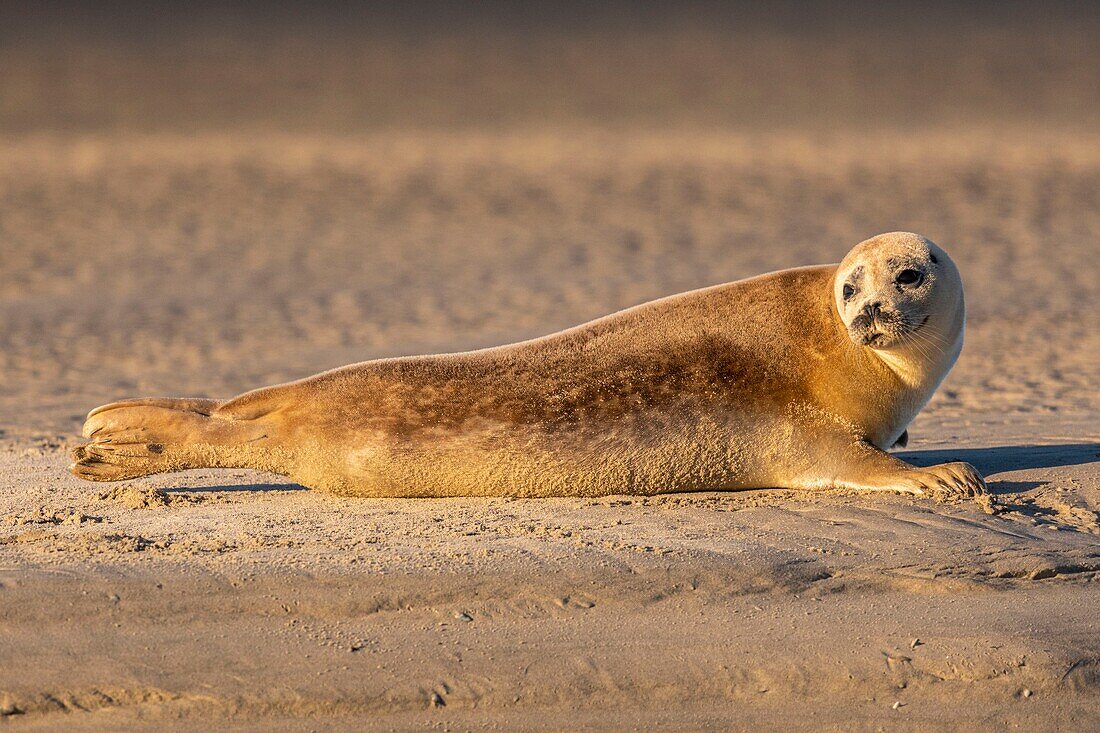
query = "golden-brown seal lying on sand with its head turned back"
{"x": 799, "y": 379}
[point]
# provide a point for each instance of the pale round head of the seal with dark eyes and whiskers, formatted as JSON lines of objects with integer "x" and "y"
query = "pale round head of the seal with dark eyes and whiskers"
{"x": 900, "y": 292}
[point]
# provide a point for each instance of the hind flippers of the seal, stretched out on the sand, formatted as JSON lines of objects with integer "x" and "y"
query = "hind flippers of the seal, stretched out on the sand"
{"x": 140, "y": 437}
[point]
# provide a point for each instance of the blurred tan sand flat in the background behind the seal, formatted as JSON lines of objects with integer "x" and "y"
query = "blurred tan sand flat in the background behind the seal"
{"x": 202, "y": 199}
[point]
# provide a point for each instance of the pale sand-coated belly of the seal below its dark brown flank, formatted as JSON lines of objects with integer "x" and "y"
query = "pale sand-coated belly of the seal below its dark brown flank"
{"x": 646, "y": 454}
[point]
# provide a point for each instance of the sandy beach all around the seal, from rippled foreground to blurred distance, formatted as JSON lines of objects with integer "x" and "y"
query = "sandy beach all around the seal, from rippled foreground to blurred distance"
{"x": 159, "y": 238}
